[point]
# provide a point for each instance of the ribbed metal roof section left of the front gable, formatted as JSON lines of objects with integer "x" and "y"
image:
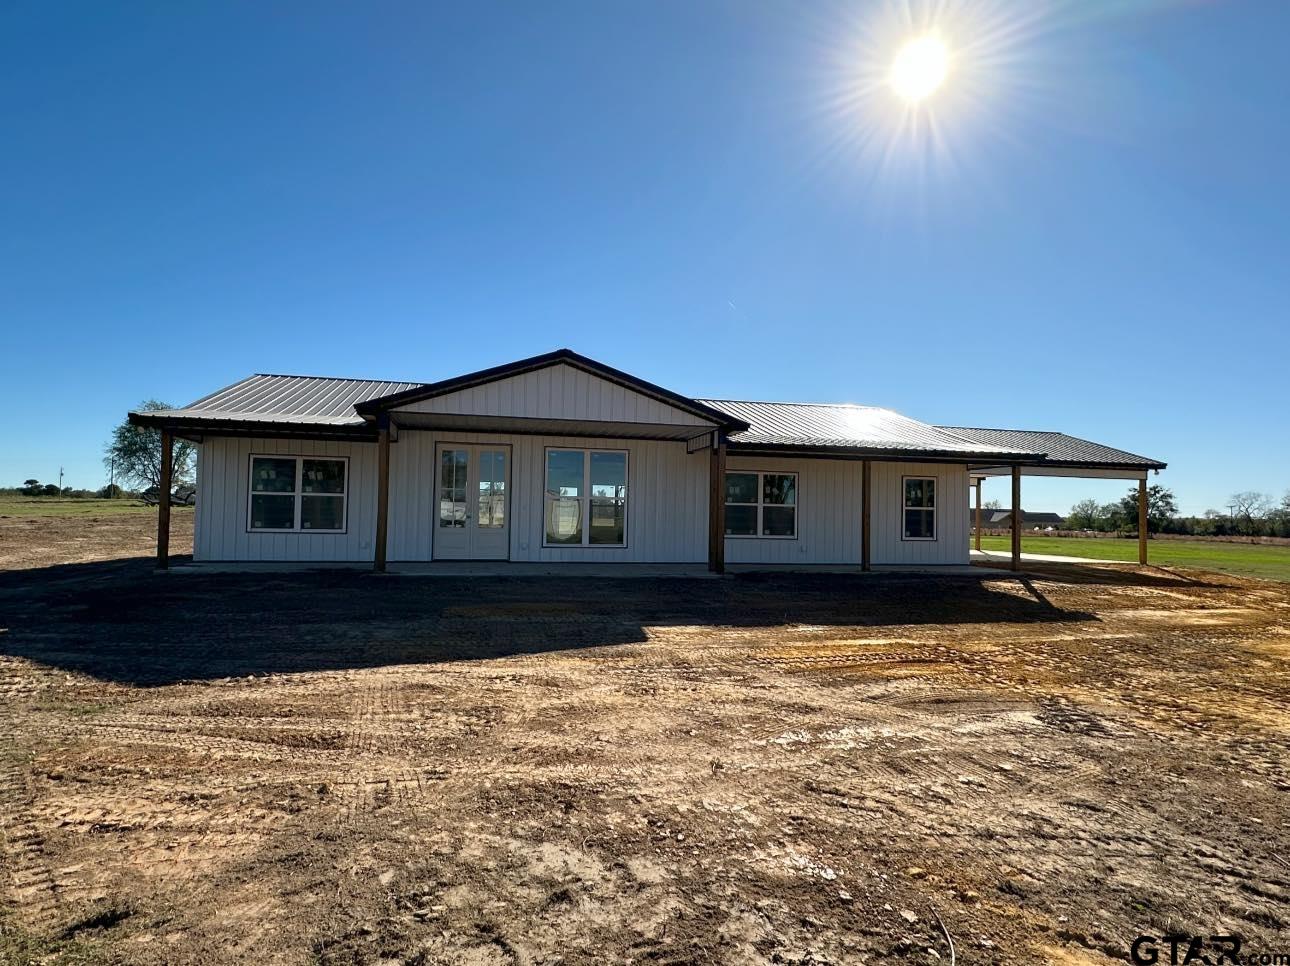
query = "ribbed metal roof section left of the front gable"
{"x": 288, "y": 399}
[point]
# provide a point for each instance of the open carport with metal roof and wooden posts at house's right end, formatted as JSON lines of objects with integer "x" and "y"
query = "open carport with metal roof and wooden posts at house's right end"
{"x": 1065, "y": 456}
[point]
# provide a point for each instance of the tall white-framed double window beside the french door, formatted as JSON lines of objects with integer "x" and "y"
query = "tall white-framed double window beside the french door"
{"x": 585, "y": 504}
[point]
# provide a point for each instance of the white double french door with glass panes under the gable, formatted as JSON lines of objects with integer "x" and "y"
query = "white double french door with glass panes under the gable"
{"x": 473, "y": 519}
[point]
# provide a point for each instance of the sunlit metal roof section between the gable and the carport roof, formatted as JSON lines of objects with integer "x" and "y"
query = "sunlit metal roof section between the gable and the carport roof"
{"x": 846, "y": 426}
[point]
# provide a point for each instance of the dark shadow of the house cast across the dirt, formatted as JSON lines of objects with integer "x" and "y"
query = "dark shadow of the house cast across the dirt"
{"x": 121, "y": 622}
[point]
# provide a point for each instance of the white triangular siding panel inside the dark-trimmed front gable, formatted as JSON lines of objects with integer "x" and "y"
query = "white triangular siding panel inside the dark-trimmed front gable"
{"x": 557, "y": 393}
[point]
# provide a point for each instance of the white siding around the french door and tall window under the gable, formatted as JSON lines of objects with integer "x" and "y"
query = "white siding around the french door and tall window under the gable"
{"x": 668, "y": 510}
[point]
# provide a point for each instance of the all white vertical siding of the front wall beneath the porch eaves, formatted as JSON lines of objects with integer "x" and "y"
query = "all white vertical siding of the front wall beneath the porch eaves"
{"x": 668, "y": 510}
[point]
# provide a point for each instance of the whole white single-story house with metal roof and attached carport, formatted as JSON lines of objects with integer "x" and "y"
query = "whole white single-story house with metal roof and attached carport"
{"x": 563, "y": 460}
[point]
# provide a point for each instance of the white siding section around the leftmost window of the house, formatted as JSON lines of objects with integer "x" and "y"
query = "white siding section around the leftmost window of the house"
{"x": 224, "y": 482}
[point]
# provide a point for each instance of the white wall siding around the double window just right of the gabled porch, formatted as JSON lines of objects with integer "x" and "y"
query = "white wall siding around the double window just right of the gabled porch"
{"x": 829, "y": 514}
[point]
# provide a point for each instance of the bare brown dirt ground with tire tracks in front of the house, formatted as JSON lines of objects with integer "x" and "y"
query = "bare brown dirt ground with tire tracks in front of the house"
{"x": 346, "y": 769}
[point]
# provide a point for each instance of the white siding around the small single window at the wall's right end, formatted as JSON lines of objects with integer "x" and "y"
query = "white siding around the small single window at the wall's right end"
{"x": 888, "y": 515}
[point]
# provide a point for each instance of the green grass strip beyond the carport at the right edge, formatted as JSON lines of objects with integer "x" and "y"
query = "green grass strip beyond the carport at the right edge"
{"x": 1249, "y": 559}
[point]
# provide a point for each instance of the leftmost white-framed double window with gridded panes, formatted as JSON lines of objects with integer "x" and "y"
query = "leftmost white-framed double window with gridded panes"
{"x": 299, "y": 495}
